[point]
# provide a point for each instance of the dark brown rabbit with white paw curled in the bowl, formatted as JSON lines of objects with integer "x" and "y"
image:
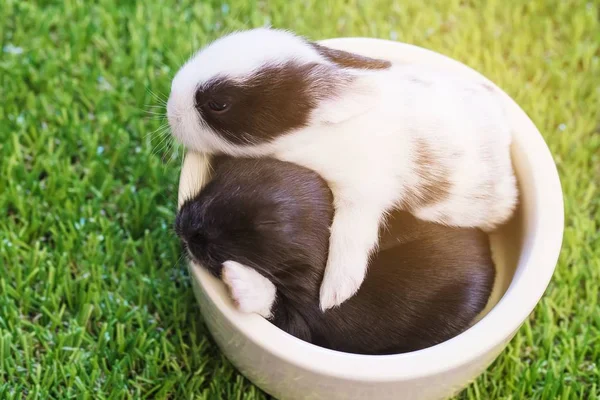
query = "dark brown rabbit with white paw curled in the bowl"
{"x": 262, "y": 226}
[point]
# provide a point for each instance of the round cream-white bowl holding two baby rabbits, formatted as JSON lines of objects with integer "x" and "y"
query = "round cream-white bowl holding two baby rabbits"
{"x": 525, "y": 251}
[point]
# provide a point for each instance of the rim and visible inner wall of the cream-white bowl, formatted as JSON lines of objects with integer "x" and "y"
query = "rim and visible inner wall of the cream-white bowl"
{"x": 525, "y": 252}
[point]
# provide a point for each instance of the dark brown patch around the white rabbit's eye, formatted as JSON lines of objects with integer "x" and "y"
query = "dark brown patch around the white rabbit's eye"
{"x": 270, "y": 103}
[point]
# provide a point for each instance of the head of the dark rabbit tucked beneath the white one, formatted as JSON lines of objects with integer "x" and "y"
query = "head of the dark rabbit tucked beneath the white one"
{"x": 264, "y": 213}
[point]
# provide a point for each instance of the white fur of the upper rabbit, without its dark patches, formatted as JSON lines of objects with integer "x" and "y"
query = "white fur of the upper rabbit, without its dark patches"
{"x": 364, "y": 144}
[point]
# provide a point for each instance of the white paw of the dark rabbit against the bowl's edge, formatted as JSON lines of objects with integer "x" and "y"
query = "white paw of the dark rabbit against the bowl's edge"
{"x": 250, "y": 291}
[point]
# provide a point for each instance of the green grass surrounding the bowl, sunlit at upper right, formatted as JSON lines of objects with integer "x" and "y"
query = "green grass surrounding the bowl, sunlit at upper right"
{"x": 94, "y": 300}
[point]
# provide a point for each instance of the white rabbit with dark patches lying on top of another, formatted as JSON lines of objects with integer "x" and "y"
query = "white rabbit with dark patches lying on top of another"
{"x": 385, "y": 136}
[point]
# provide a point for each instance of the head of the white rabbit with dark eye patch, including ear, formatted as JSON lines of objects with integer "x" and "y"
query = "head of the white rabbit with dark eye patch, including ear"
{"x": 246, "y": 89}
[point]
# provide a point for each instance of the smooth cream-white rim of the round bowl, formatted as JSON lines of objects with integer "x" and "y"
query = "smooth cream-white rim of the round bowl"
{"x": 538, "y": 258}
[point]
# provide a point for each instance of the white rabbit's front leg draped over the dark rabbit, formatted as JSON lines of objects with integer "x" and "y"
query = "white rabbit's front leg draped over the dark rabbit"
{"x": 354, "y": 236}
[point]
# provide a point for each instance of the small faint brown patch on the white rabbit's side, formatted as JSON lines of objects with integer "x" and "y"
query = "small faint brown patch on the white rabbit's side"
{"x": 434, "y": 183}
